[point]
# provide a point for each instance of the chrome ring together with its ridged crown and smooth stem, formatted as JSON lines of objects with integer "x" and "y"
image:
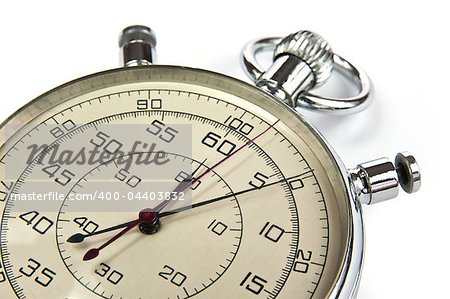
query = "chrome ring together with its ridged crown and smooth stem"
{"x": 300, "y": 60}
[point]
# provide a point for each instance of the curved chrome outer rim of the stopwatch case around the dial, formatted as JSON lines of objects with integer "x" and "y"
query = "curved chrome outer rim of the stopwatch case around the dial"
{"x": 346, "y": 285}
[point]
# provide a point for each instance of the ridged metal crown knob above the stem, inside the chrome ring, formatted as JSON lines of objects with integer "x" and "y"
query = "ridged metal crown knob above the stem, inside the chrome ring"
{"x": 312, "y": 49}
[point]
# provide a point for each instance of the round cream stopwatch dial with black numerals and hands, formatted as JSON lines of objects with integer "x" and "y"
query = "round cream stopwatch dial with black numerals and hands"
{"x": 164, "y": 182}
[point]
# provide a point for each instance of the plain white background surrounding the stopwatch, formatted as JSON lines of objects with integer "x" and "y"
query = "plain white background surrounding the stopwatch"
{"x": 403, "y": 46}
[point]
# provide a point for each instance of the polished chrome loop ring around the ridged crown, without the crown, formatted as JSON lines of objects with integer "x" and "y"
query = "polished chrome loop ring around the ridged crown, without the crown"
{"x": 306, "y": 99}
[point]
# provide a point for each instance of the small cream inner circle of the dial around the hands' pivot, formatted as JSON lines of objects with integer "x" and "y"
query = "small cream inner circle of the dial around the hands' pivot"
{"x": 161, "y": 261}
